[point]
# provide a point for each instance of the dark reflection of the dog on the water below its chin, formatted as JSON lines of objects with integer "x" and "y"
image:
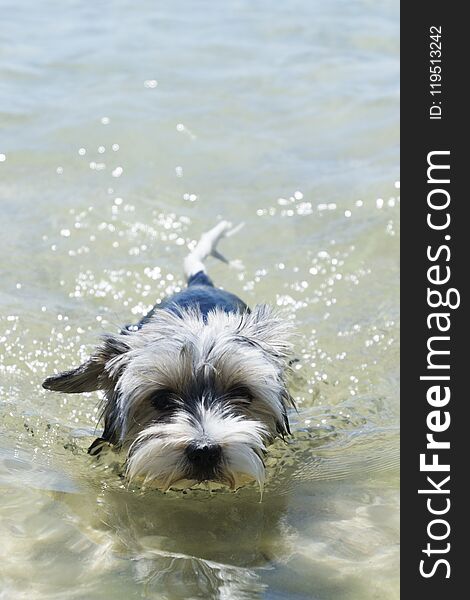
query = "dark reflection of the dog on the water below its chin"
{"x": 192, "y": 545}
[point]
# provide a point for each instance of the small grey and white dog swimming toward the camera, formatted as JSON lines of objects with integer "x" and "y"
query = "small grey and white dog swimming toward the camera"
{"x": 196, "y": 391}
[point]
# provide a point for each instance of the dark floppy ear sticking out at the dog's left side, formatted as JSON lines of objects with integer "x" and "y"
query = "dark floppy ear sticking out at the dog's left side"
{"x": 90, "y": 375}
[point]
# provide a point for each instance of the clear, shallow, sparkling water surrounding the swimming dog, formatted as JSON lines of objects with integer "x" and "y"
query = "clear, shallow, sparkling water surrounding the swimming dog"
{"x": 126, "y": 130}
